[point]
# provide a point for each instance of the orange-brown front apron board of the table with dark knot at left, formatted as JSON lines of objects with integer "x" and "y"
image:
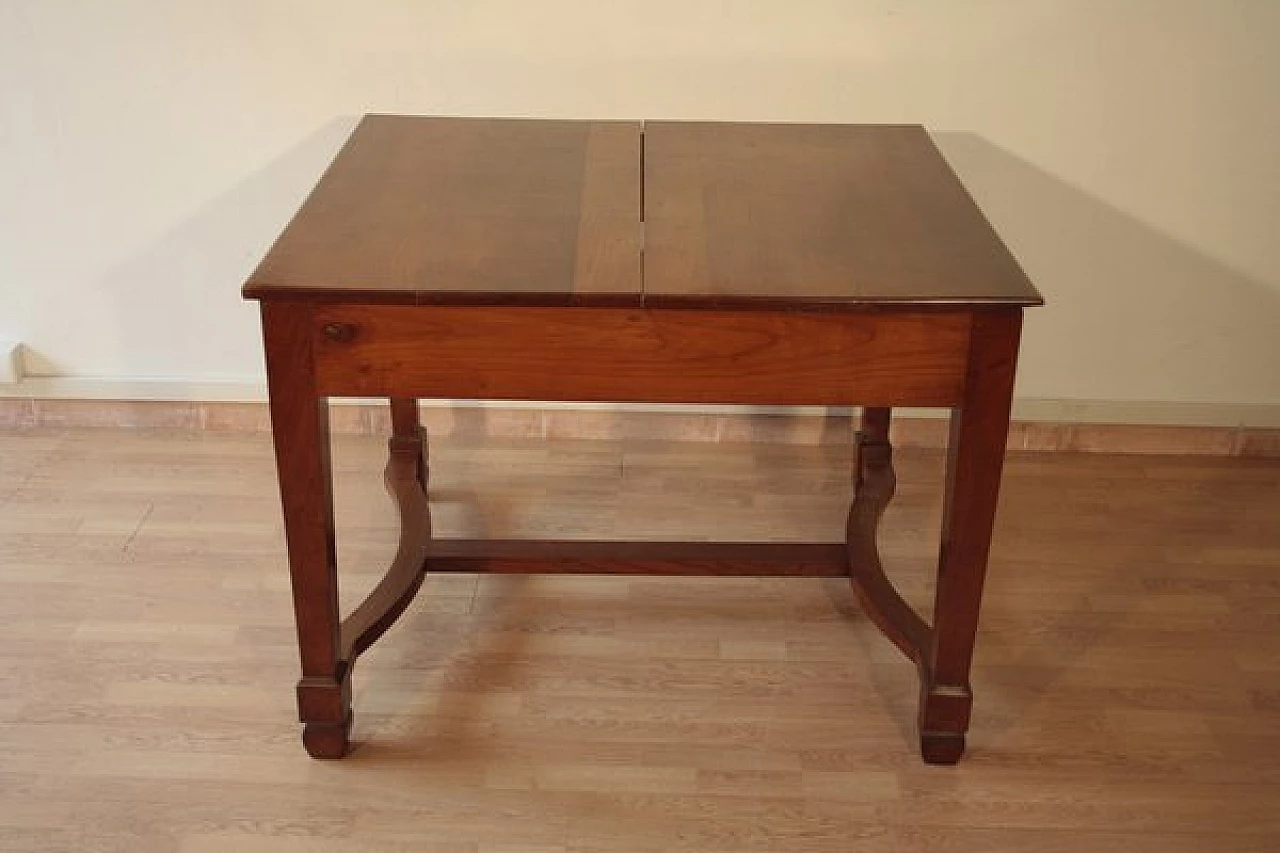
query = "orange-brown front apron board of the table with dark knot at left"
{"x": 642, "y": 355}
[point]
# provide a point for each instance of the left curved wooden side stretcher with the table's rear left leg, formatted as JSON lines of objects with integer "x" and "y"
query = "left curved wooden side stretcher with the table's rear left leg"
{"x": 406, "y": 482}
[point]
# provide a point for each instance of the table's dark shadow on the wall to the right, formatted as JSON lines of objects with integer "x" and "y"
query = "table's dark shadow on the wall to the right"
{"x": 1131, "y": 313}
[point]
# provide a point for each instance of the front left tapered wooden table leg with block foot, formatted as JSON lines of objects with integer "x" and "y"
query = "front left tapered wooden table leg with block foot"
{"x": 300, "y": 426}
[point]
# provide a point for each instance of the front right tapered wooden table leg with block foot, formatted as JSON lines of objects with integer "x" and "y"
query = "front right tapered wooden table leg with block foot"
{"x": 980, "y": 428}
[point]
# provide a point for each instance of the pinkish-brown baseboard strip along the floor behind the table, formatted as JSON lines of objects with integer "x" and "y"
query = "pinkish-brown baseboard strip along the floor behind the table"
{"x": 606, "y": 425}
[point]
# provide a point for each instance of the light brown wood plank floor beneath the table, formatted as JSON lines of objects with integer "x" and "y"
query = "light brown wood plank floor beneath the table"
{"x": 1127, "y": 678}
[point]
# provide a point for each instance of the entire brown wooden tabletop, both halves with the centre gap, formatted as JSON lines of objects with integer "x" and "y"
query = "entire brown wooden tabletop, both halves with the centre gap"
{"x": 528, "y": 212}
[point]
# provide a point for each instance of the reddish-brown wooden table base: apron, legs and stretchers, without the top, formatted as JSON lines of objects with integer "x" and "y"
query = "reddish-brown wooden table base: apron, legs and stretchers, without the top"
{"x": 317, "y": 350}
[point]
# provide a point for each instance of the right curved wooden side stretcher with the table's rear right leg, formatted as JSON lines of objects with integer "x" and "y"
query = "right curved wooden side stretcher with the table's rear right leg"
{"x": 874, "y": 489}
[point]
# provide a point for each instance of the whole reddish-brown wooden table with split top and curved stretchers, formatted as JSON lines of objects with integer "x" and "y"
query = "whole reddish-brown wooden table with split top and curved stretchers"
{"x": 678, "y": 263}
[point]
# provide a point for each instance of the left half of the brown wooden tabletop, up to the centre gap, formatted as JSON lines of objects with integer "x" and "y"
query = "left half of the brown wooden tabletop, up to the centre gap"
{"x": 460, "y": 211}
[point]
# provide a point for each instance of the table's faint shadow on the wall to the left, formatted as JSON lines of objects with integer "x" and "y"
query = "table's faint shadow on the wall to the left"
{"x": 186, "y": 286}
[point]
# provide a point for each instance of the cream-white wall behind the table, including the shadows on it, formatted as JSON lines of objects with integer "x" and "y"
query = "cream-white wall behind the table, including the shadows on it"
{"x": 1128, "y": 150}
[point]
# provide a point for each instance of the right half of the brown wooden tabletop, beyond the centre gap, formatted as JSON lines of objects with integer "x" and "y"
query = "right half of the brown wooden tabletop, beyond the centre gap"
{"x": 828, "y": 216}
